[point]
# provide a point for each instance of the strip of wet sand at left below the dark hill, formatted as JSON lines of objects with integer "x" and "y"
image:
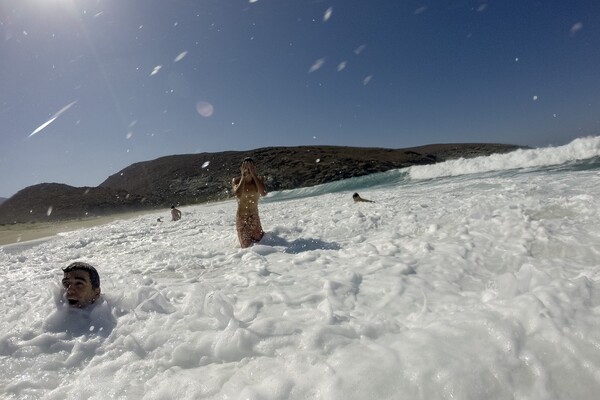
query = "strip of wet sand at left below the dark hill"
{"x": 10, "y": 234}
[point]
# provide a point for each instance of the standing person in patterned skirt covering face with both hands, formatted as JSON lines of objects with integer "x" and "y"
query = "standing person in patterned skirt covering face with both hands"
{"x": 248, "y": 188}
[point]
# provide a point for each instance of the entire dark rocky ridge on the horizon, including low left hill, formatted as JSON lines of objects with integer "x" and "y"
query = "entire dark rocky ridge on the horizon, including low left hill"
{"x": 197, "y": 178}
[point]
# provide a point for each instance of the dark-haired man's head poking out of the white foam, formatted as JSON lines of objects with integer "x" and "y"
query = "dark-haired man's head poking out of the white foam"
{"x": 81, "y": 283}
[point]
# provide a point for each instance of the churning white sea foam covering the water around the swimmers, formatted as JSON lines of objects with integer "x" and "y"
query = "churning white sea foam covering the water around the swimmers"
{"x": 483, "y": 287}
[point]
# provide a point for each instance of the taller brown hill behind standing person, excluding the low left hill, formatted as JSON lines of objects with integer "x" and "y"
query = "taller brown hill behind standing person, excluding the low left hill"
{"x": 181, "y": 178}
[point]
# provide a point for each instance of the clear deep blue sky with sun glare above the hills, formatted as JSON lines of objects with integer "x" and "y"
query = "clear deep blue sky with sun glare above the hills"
{"x": 150, "y": 78}
